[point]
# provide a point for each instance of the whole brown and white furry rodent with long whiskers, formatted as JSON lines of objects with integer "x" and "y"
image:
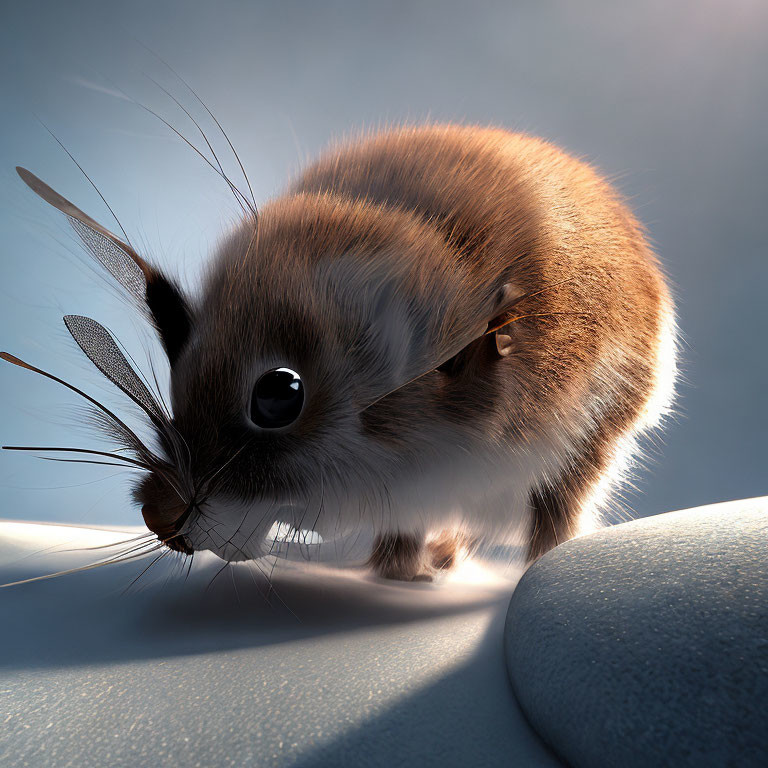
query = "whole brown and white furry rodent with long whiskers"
{"x": 439, "y": 332}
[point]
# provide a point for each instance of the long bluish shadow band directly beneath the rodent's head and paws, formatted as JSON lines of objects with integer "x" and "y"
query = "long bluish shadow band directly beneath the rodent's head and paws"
{"x": 88, "y": 618}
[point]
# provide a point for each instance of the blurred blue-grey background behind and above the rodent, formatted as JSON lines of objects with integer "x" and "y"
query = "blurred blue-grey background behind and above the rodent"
{"x": 668, "y": 99}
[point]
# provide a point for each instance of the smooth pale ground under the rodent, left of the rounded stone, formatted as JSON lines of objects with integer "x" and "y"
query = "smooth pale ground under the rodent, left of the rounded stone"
{"x": 331, "y": 669}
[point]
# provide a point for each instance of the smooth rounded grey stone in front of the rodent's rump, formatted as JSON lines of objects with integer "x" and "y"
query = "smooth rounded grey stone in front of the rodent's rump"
{"x": 646, "y": 644}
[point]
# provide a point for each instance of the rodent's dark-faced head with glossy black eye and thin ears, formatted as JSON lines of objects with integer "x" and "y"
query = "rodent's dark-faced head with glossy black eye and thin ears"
{"x": 303, "y": 378}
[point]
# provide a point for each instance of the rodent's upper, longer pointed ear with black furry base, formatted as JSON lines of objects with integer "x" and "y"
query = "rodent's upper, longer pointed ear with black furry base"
{"x": 156, "y": 293}
